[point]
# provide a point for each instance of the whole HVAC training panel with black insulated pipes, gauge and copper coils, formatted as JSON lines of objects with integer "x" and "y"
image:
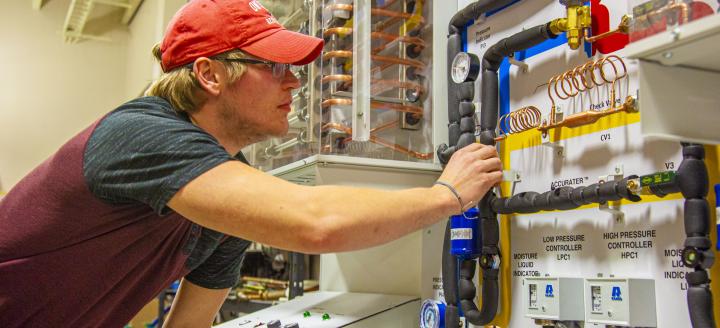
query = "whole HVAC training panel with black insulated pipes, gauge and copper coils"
{"x": 592, "y": 139}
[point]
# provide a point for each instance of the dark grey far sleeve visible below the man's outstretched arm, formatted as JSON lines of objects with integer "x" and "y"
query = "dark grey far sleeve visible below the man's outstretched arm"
{"x": 222, "y": 269}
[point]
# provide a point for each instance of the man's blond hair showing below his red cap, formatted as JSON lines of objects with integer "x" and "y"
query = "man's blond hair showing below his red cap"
{"x": 180, "y": 87}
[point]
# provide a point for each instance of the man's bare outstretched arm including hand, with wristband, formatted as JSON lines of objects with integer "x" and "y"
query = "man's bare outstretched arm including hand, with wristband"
{"x": 238, "y": 200}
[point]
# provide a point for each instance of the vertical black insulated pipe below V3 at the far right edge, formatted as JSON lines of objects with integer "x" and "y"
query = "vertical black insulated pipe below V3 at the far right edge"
{"x": 693, "y": 182}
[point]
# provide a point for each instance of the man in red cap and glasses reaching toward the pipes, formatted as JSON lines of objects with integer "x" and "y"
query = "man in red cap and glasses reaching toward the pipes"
{"x": 151, "y": 192}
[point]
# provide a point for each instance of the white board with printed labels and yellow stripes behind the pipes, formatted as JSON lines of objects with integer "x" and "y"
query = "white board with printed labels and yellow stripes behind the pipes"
{"x": 639, "y": 241}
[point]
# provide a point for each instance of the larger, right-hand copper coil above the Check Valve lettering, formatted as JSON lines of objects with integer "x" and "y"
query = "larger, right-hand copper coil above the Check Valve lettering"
{"x": 585, "y": 77}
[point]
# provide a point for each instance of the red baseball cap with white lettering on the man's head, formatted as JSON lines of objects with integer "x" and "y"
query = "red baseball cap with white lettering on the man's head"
{"x": 204, "y": 28}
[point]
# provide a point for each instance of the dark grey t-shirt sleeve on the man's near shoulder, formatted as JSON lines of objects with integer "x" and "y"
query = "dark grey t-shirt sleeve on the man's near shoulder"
{"x": 146, "y": 154}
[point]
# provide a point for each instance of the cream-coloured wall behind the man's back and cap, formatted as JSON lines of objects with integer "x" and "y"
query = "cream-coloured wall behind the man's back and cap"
{"x": 50, "y": 90}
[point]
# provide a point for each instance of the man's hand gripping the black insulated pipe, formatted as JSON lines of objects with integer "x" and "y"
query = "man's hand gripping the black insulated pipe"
{"x": 472, "y": 171}
